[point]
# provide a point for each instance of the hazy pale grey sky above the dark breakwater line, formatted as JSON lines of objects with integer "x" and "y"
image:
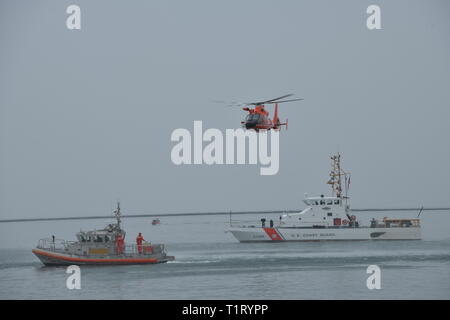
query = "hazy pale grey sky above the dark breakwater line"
{"x": 86, "y": 116}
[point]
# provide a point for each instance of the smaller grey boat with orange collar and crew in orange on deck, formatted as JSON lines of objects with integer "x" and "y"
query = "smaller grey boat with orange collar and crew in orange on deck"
{"x": 100, "y": 247}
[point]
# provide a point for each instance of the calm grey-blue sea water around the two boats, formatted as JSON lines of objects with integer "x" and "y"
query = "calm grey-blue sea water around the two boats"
{"x": 211, "y": 264}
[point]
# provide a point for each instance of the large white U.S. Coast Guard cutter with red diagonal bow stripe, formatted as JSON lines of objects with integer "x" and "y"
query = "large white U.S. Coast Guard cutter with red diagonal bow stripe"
{"x": 328, "y": 218}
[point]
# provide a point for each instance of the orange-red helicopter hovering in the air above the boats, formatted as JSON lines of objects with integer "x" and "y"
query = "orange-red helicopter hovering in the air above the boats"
{"x": 258, "y": 117}
